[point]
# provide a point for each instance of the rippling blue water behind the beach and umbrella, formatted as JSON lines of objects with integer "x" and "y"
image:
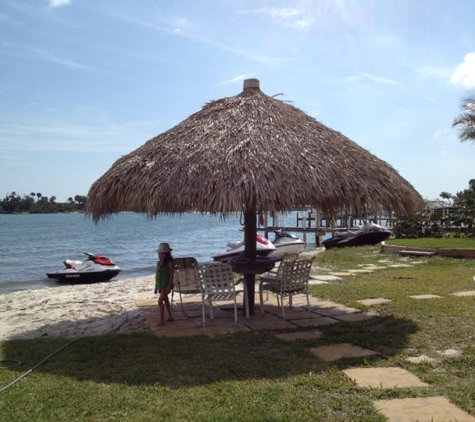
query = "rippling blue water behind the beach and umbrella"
{"x": 33, "y": 244}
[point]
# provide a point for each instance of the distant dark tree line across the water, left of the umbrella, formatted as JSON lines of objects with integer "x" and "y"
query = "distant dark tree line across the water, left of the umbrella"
{"x": 36, "y": 203}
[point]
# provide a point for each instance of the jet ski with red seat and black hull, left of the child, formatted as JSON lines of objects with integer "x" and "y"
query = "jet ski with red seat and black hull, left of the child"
{"x": 95, "y": 268}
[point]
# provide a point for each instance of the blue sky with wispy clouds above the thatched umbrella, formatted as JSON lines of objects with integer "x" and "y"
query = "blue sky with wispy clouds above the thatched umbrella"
{"x": 84, "y": 82}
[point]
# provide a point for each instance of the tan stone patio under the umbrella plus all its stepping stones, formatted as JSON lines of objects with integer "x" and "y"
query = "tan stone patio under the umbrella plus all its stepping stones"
{"x": 322, "y": 312}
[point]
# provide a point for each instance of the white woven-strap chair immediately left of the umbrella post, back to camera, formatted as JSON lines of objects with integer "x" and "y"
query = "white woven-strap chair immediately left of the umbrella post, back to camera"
{"x": 217, "y": 284}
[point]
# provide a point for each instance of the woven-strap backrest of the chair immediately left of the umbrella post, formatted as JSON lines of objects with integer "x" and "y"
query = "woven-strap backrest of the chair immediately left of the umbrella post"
{"x": 216, "y": 277}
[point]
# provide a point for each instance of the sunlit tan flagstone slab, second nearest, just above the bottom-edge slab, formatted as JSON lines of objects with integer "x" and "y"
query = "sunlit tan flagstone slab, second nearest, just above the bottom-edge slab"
{"x": 392, "y": 377}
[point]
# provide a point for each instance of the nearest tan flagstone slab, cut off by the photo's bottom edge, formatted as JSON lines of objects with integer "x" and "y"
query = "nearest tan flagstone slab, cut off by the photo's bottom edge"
{"x": 436, "y": 409}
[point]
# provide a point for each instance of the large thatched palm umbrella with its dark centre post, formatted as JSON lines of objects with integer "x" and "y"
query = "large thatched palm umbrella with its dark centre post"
{"x": 250, "y": 154}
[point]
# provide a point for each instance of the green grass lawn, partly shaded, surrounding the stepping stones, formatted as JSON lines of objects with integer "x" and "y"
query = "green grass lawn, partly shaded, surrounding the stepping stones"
{"x": 256, "y": 376}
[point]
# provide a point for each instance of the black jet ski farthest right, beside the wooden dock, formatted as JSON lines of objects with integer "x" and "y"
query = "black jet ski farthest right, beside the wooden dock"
{"x": 369, "y": 234}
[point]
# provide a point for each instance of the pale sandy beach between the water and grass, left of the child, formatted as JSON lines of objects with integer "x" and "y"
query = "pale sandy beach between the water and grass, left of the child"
{"x": 75, "y": 311}
